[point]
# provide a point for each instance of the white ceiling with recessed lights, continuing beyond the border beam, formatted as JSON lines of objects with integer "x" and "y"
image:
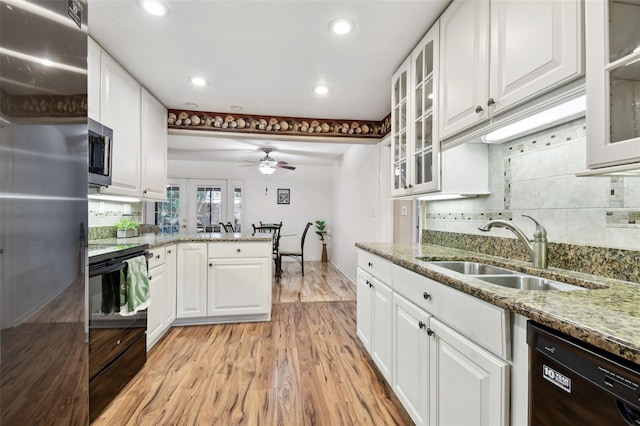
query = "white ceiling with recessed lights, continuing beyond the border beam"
{"x": 265, "y": 56}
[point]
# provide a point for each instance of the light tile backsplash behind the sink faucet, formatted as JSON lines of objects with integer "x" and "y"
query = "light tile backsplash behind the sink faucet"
{"x": 535, "y": 175}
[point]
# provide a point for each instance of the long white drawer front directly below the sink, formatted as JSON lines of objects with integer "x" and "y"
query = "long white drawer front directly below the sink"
{"x": 485, "y": 324}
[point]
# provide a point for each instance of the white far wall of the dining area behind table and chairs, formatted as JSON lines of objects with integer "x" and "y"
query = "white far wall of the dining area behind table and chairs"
{"x": 311, "y": 197}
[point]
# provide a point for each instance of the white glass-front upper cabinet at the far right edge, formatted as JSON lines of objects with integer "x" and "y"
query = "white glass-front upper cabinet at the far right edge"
{"x": 613, "y": 82}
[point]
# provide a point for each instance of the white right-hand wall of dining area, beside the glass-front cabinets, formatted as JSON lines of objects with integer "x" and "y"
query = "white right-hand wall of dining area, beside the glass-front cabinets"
{"x": 357, "y": 215}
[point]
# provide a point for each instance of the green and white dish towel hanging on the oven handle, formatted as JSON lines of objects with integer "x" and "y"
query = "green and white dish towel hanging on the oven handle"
{"x": 135, "y": 296}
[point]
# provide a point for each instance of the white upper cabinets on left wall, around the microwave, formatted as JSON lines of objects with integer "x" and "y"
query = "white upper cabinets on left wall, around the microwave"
{"x": 139, "y": 125}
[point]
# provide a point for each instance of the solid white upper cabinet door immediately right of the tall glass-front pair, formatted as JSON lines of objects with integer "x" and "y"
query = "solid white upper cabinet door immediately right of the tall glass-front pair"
{"x": 464, "y": 65}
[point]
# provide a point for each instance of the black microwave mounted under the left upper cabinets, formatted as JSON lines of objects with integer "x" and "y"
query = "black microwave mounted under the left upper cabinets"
{"x": 100, "y": 153}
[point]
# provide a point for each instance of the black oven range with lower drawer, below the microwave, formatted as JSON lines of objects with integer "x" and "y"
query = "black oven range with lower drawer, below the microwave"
{"x": 117, "y": 340}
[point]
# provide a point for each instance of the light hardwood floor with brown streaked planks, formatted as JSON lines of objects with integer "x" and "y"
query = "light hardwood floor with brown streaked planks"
{"x": 304, "y": 367}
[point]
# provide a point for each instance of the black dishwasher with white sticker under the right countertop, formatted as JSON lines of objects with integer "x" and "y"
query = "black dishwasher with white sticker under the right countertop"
{"x": 574, "y": 383}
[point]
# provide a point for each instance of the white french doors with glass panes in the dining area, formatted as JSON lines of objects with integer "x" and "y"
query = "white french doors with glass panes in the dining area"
{"x": 199, "y": 205}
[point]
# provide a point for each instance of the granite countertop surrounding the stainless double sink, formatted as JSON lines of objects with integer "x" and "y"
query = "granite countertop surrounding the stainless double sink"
{"x": 607, "y": 315}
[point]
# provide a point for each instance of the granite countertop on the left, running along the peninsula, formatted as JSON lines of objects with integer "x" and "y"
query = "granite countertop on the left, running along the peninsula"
{"x": 158, "y": 240}
